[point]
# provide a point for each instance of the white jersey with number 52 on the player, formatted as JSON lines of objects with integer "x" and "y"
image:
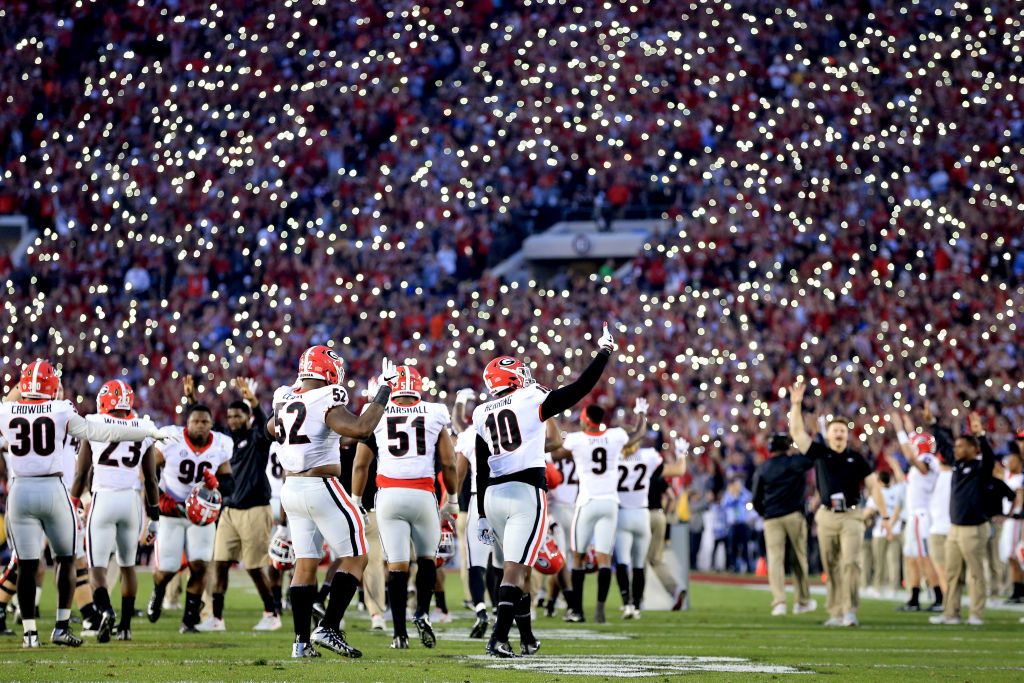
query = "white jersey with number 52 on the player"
{"x": 306, "y": 440}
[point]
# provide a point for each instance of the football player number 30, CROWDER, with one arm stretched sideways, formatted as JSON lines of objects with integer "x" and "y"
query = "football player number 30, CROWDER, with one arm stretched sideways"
{"x": 37, "y": 425}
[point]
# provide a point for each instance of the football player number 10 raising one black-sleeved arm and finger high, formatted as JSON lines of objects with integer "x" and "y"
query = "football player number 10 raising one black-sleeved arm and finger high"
{"x": 511, "y": 480}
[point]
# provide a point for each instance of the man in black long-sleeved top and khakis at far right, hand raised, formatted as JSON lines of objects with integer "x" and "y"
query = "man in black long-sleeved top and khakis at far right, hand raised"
{"x": 968, "y": 539}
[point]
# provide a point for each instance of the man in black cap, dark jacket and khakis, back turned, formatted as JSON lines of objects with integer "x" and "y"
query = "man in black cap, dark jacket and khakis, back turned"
{"x": 780, "y": 491}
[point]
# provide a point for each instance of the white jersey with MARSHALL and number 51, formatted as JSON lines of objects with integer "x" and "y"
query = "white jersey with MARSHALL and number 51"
{"x": 407, "y": 440}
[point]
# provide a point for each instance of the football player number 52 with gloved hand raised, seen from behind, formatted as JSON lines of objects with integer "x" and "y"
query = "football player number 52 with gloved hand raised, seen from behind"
{"x": 309, "y": 421}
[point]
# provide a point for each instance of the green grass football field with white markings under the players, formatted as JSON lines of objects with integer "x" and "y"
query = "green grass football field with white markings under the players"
{"x": 728, "y": 635}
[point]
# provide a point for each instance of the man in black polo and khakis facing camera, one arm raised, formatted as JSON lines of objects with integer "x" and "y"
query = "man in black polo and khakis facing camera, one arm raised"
{"x": 839, "y": 472}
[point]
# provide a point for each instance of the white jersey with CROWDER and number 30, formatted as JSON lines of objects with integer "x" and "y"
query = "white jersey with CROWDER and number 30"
{"x": 37, "y": 437}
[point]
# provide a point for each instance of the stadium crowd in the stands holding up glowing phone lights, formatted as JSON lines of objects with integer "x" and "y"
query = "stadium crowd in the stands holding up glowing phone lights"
{"x": 218, "y": 186}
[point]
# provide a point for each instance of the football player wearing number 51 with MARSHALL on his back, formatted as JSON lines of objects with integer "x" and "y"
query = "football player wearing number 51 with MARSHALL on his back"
{"x": 405, "y": 444}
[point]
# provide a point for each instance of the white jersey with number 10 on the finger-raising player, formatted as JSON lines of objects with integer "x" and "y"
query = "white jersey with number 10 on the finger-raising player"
{"x": 514, "y": 431}
